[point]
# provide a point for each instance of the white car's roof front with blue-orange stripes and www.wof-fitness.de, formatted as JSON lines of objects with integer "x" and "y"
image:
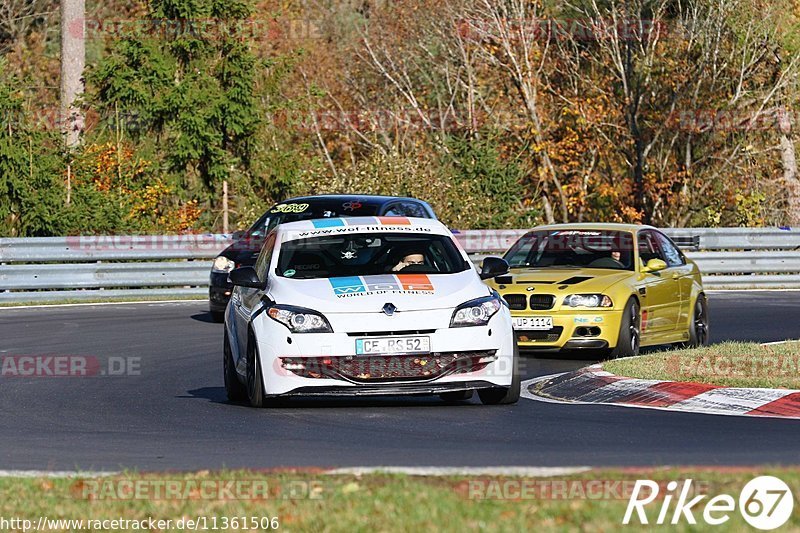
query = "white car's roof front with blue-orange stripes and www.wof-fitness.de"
{"x": 317, "y": 227}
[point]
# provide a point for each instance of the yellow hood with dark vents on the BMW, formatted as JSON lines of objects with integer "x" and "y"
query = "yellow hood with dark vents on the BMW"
{"x": 581, "y": 279}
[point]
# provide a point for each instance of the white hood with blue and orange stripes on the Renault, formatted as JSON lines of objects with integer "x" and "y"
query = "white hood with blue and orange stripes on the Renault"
{"x": 368, "y": 294}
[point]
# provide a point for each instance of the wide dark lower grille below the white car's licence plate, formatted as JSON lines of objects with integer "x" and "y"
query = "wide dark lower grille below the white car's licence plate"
{"x": 381, "y": 368}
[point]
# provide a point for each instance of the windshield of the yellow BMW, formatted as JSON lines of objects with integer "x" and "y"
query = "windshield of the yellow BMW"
{"x": 573, "y": 248}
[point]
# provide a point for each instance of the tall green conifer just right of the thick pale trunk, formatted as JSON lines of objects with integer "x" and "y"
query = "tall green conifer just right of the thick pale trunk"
{"x": 190, "y": 80}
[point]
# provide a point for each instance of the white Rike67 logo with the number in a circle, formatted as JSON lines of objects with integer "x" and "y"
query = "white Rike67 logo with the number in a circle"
{"x": 765, "y": 503}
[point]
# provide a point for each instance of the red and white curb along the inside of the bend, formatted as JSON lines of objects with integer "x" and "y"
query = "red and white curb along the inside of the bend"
{"x": 593, "y": 385}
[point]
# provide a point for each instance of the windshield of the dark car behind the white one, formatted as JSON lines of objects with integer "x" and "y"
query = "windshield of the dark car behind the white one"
{"x": 295, "y": 211}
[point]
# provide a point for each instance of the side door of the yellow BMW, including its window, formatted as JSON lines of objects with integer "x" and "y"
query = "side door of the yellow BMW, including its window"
{"x": 659, "y": 290}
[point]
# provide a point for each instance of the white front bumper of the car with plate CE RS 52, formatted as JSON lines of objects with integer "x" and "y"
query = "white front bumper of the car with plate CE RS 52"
{"x": 459, "y": 358}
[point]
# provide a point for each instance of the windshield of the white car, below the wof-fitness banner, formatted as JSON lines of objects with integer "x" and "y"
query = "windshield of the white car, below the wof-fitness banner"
{"x": 367, "y": 254}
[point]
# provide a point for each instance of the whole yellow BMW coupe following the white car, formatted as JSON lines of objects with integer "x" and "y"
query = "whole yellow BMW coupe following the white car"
{"x": 602, "y": 287}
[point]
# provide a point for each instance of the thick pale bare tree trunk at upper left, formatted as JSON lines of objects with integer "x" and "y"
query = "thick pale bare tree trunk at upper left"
{"x": 73, "y": 58}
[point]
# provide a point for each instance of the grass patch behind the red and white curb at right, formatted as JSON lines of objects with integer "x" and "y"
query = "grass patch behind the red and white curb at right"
{"x": 730, "y": 364}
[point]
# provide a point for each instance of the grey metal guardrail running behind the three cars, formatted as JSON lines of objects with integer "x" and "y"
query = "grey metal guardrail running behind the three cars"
{"x": 89, "y": 268}
